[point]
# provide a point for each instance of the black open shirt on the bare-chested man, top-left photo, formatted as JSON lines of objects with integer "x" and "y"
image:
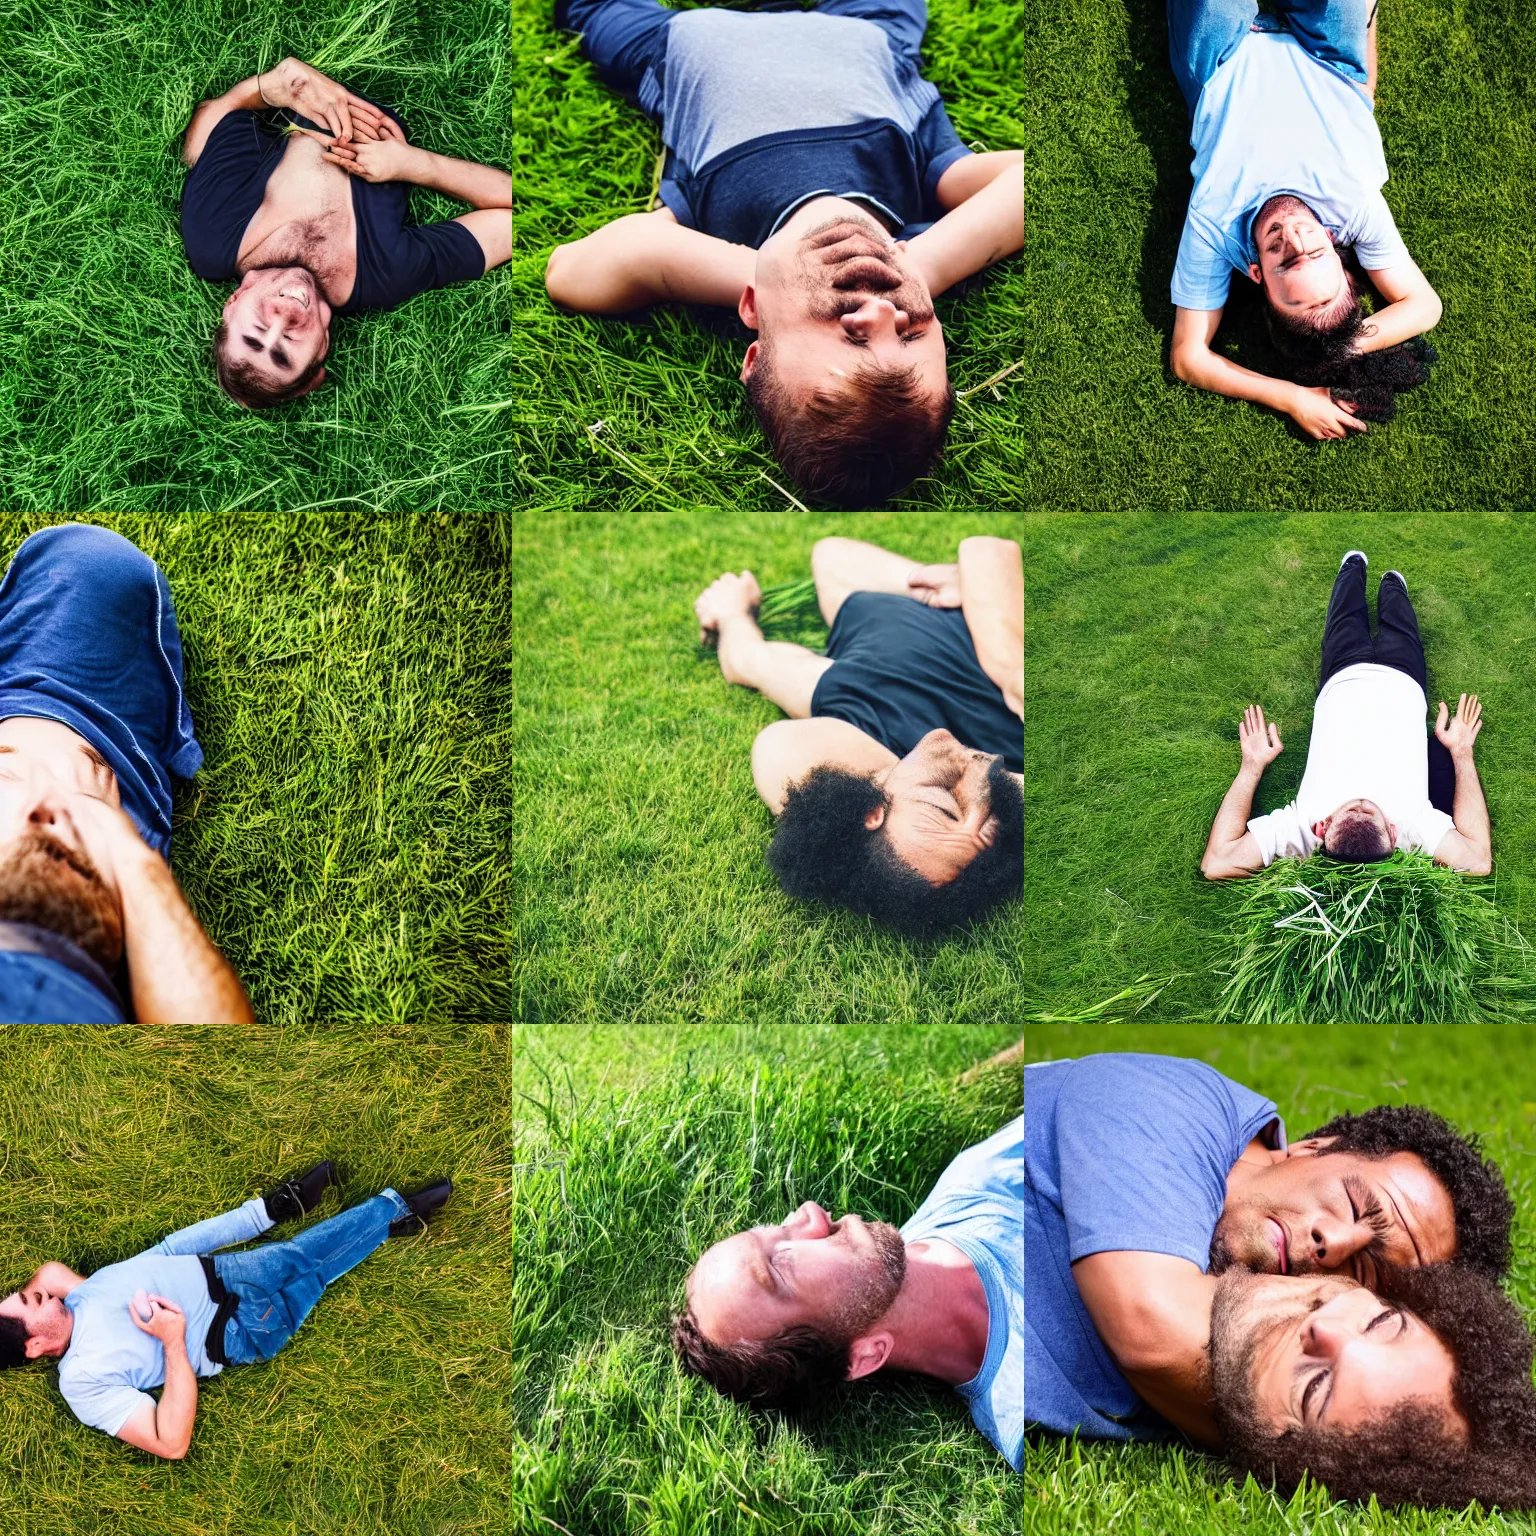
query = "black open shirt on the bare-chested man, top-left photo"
{"x": 396, "y": 260}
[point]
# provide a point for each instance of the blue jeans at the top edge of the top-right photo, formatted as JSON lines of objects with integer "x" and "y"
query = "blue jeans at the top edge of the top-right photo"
{"x": 1205, "y": 35}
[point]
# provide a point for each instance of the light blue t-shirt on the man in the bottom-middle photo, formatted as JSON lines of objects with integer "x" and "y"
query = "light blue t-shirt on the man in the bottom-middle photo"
{"x": 976, "y": 1208}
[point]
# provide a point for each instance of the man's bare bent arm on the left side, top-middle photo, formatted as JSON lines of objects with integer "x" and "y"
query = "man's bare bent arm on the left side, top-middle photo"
{"x": 647, "y": 259}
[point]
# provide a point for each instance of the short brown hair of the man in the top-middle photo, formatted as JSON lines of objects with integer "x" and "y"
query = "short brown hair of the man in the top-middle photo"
{"x": 859, "y": 446}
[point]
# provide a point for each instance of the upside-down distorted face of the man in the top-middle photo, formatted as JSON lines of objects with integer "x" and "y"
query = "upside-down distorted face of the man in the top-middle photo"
{"x": 833, "y": 294}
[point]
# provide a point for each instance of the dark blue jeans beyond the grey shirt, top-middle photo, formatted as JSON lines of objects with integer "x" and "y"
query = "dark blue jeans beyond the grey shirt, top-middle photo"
{"x": 627, "y": 39}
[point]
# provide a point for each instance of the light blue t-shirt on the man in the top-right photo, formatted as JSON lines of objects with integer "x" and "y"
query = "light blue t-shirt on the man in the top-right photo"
{"x": 1271, "y": 121}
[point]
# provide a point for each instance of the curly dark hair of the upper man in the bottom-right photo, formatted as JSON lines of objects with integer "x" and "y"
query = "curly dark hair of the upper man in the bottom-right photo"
{"x": 1485, "y": 1211}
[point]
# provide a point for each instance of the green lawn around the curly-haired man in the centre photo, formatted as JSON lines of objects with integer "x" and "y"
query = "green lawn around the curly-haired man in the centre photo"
{"x": 638, "y": 841}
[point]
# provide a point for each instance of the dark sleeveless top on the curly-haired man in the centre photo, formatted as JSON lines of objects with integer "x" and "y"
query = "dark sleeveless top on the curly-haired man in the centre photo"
{"x": 902, "y": 670}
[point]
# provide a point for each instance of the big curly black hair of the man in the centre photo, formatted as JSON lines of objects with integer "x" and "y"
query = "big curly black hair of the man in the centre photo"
{"x": 823, "y": 852}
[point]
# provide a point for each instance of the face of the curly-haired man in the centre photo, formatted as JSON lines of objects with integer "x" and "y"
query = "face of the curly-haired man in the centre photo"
{"x": 948, "y": 803}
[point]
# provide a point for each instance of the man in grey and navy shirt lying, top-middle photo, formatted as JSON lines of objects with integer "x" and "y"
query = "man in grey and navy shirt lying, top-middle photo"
{"x": 815, "y": 185}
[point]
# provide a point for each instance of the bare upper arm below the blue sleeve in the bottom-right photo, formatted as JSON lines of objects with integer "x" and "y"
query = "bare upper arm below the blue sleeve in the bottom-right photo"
{"x": 1153, "y": 1313}
